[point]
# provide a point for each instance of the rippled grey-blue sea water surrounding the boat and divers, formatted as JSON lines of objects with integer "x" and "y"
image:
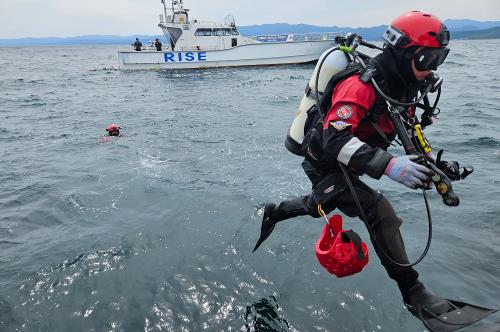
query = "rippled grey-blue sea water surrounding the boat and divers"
{"x": 153, "y": 230}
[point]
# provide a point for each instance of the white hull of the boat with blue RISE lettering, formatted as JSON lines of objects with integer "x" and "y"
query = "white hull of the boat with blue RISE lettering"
{"x": 245, "y": 55}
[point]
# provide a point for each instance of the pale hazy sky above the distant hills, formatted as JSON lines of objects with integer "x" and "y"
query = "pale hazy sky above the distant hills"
{"x": 63, "y": 18}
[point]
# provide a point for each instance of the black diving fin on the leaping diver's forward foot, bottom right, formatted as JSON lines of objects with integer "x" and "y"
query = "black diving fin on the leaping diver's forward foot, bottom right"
{"x": 443, "y": 315}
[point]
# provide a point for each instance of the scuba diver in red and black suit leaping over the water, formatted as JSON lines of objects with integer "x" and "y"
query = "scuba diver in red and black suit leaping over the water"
{"x": 351, "y": 139}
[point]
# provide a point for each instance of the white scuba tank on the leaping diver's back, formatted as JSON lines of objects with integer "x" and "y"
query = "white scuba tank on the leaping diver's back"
{"x": 334, "y": 63}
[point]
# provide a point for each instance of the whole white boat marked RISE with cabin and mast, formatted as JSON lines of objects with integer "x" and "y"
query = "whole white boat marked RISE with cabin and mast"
{"x": 197, "y": 44}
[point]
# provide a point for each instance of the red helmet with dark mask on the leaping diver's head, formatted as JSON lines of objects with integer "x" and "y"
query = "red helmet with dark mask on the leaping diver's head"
{"x": 420, "y": 29}
